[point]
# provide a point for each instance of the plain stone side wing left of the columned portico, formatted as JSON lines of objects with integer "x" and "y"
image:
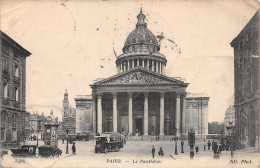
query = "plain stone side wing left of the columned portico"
{"x": 84, "y": 115}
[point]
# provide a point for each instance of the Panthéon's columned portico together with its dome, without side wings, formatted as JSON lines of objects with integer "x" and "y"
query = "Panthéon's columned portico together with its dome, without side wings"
{"x": 139, "y": 99}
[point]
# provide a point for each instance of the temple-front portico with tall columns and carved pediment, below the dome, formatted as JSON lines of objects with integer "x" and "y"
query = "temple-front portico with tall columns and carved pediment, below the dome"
{"x": 139, "y": 106}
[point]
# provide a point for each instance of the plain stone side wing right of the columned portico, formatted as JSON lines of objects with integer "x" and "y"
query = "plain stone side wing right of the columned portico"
{"x": 196, "y": 107}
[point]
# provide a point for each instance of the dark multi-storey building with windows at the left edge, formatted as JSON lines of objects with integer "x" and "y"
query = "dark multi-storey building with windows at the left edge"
{"x": 13, "y": 75}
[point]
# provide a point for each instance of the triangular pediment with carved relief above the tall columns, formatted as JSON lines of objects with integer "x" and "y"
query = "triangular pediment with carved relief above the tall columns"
{"x": 137, "y": 77}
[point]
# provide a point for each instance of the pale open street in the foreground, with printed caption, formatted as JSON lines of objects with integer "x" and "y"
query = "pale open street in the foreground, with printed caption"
{"x": 135, "y": 154}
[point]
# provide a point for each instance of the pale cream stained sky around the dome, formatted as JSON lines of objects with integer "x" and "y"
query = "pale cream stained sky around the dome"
{"x": 72, "y": 44}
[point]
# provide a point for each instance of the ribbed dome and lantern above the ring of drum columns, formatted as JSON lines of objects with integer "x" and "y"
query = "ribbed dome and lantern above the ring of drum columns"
{"x": 141, "y": 37}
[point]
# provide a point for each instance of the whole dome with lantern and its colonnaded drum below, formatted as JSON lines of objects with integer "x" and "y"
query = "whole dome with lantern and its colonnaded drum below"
{"x": 141, "y": 50}
